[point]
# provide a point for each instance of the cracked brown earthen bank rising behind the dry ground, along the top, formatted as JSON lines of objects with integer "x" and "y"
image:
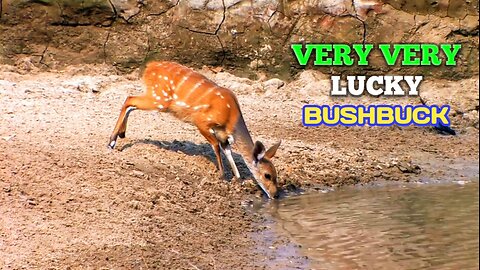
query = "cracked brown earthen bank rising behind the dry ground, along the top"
{"x": 248, "y": 37}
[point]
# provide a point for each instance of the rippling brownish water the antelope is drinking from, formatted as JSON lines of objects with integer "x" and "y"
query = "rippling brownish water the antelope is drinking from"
{"x": 421, "y": 227}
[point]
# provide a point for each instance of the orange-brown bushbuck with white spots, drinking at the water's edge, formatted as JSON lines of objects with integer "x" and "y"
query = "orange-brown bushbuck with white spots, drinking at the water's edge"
{"x": 191, "y": 97}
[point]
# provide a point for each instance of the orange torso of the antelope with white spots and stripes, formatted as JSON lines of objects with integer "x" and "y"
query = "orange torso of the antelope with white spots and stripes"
{"x": 191, "y": 96}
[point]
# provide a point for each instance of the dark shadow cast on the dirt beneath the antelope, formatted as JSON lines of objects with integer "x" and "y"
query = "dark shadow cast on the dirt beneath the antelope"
{"x": 192, "y": 149}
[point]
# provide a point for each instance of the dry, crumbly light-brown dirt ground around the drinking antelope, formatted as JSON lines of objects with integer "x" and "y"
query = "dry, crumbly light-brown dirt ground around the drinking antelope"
{"x": 66, "y": 201}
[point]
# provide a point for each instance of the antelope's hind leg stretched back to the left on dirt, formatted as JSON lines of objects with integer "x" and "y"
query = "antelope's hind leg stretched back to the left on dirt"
{"x": 131, "y": 103}
